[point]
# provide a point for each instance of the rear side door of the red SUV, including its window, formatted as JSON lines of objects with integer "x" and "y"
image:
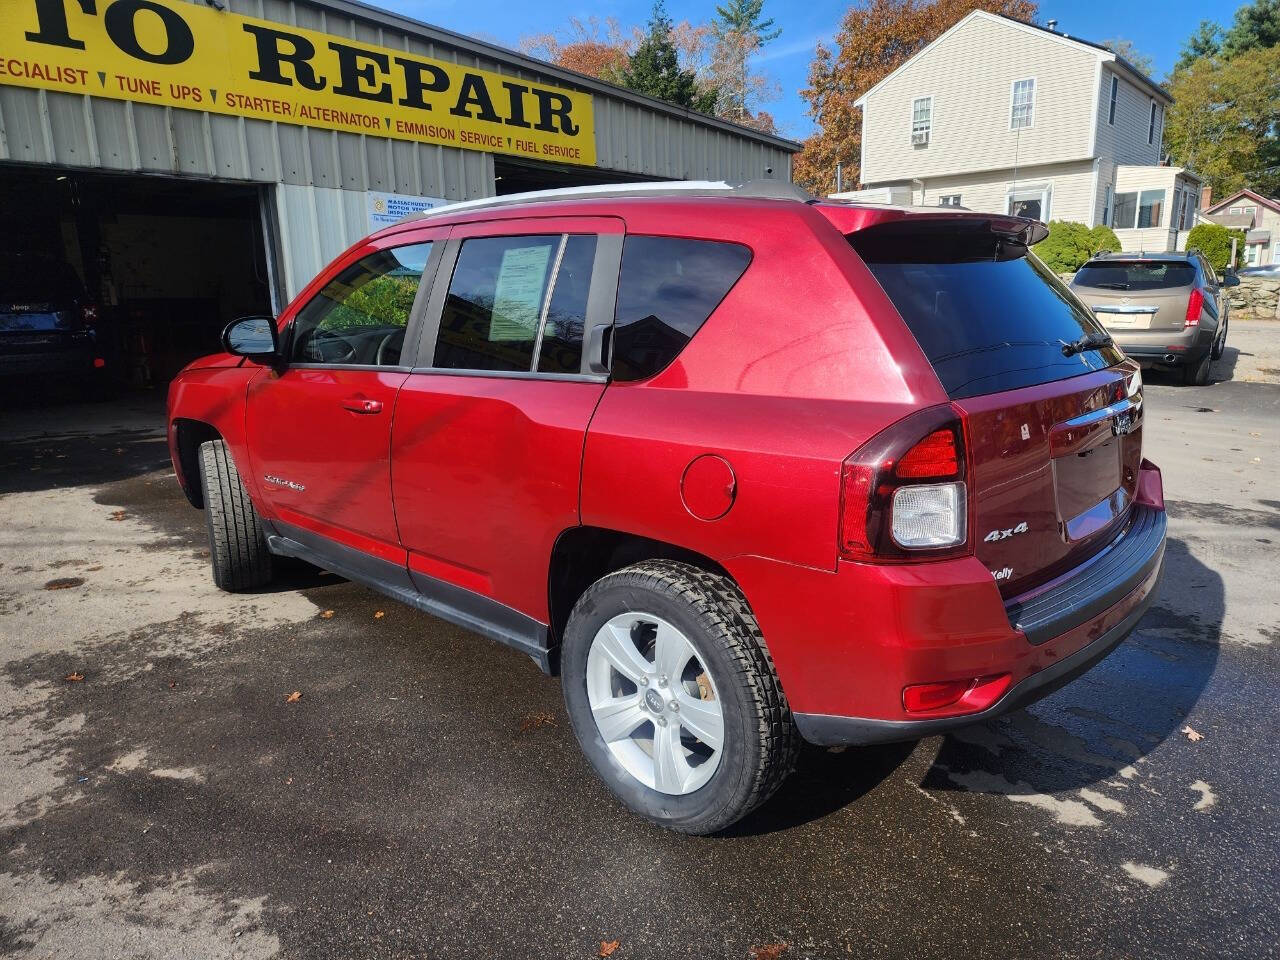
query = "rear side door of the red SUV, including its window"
{"x": 487, "y": 449}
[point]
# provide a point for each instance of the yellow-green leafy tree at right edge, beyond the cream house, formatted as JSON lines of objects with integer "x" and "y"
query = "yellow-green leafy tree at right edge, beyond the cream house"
{"x": 1223, "y": 124}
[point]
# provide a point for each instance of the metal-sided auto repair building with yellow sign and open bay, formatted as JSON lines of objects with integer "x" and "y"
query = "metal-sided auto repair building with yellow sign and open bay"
{"x": 195, "y": 161}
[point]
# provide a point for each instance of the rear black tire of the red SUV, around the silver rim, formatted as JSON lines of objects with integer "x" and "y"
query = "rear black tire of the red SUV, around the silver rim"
{"x": 761, "y": 739}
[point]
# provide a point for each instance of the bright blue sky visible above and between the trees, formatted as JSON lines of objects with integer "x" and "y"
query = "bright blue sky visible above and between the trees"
{"x": 1156, "y": 29}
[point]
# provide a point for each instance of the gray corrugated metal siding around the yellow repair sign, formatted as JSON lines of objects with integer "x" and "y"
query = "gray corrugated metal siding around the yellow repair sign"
{"x": 323, "y": 175}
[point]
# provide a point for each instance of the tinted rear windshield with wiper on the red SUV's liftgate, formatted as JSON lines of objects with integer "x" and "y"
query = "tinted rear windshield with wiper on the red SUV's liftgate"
{"x": 989, "y": 317}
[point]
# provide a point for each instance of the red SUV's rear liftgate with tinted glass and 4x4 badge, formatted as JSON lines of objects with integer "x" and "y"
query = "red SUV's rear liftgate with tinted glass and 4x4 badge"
{"x": 1054, "y": 431}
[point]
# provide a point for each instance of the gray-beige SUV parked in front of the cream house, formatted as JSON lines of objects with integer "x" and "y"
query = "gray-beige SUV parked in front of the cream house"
{"x": 1162, "y": 309}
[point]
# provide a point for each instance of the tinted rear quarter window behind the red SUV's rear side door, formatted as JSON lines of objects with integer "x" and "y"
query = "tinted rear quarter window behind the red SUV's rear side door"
{"x": 666, "y": 291}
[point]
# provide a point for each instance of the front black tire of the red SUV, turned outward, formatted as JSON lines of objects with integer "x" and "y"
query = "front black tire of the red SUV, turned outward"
{"x": 237, "y": 543}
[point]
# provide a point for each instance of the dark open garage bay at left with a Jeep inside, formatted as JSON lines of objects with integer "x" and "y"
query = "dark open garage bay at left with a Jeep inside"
{"x": 126, "y": 278}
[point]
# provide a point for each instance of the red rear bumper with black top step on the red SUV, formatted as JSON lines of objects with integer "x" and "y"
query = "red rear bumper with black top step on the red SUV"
{"x": 848, "y": 643}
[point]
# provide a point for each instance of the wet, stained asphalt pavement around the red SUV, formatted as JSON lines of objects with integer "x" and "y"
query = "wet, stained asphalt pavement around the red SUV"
{"x": 163, "y": 794}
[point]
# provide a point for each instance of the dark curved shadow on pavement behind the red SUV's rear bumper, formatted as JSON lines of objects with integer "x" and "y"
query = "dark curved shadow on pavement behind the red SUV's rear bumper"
{"x": 1110, "y": 719}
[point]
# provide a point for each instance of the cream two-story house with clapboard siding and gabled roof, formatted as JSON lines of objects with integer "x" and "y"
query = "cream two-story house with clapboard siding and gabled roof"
{"x": 1007, "y": 117}
